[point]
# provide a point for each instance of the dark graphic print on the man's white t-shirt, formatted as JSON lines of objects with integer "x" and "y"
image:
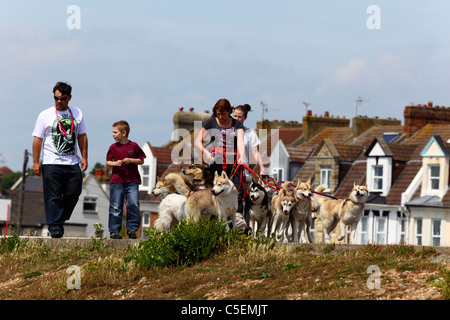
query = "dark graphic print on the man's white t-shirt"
{"x": 64, "y": 144}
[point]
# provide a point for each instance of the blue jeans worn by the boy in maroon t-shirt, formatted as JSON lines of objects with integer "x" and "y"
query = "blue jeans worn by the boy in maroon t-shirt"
{"x": 120, "y": 191}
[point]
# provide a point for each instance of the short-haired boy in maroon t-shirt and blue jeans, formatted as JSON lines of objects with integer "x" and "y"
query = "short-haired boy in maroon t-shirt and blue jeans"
{"x": 124, "y": 156}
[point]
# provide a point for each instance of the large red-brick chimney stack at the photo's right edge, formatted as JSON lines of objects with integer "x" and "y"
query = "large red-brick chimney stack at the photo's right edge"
{"x": 418, "y": 116}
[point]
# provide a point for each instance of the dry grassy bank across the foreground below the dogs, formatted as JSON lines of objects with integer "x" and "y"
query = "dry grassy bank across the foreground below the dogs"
{"x": 33, "y": 271}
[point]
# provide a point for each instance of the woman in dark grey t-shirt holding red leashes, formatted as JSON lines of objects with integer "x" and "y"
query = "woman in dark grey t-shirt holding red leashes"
{"x": 225, "y": 149}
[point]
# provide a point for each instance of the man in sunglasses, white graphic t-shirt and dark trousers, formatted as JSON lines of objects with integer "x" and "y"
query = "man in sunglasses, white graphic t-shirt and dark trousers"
{"x": 57, "y": 132}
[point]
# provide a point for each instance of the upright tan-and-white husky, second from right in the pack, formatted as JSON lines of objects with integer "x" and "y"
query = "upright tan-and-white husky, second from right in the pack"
{"x": 301, "y": 213}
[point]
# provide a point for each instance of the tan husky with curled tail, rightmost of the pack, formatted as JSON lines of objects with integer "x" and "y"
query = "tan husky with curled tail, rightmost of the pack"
{"x": 347, "y": 212}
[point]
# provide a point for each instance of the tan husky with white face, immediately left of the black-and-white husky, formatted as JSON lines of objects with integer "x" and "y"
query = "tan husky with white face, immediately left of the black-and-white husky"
{"x": 220, "y": 200}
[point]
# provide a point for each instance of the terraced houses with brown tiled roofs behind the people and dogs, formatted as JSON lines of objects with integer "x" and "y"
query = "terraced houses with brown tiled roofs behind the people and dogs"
{"x": 405, "y": 167}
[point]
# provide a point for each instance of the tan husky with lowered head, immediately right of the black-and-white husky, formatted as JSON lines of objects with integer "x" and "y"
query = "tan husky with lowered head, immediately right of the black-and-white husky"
{"x": 282, "y": 205}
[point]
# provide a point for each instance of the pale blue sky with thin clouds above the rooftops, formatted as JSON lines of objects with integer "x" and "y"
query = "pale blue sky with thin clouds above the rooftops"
{"x": 141, "y": 60}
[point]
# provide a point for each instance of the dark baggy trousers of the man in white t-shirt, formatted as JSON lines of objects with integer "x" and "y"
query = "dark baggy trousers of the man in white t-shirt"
{"x": 62, "y": 188}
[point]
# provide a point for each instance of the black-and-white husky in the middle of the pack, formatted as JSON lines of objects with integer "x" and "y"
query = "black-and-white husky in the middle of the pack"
{"x": 257, "y": 209}
